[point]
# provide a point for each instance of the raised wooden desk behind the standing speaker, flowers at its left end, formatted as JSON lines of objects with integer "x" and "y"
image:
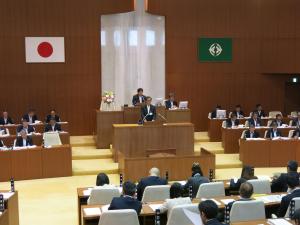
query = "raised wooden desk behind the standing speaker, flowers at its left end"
{"x": 131, "y": 115}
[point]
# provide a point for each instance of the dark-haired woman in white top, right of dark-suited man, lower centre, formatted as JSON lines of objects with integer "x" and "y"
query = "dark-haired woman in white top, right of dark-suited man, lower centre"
{"x": 176, "y": 193}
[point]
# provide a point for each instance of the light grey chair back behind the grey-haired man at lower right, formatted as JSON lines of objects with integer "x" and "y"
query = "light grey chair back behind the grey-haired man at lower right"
{"x": 247, "y": 211}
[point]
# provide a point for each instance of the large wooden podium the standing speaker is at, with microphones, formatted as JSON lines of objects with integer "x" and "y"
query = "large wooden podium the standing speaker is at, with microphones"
{"x": 133, "y": 140}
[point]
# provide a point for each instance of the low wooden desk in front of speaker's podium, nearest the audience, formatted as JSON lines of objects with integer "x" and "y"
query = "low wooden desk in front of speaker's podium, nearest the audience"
{"x": 135, "y": 168}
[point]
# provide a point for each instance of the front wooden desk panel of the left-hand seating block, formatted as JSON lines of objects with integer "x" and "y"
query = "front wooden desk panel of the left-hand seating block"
{"x": 36, "y": 163}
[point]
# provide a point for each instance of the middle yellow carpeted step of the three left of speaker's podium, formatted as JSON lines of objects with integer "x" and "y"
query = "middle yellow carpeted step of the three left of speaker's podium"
{"x": 90, "y": 152}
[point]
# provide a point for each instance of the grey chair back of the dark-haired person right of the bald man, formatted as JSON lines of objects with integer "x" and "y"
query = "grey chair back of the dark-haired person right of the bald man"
{"x": 210, "y": 190}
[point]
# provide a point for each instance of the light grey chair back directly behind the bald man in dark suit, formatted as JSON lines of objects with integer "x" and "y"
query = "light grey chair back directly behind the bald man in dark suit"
{"x": 156, "y": 193}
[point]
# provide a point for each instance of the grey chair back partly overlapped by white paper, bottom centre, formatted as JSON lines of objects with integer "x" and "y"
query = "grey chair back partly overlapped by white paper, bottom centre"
{"x": 177, "y": 215}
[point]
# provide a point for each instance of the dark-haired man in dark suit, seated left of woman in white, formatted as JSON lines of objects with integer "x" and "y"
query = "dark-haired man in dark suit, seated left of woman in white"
{"x": 127, "y": 200}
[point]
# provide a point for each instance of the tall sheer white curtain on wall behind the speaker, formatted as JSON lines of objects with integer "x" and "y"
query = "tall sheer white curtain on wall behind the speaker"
{"x": 133, "y": 54}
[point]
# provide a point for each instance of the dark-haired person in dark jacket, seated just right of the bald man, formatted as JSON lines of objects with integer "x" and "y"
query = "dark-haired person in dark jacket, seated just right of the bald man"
{"x": 196, "y": 180}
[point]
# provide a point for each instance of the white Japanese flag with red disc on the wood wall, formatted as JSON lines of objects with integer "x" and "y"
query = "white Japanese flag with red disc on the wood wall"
{"x": 44, "y": 49}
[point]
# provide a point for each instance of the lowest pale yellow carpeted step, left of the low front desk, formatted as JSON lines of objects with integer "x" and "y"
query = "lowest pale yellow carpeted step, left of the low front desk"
{"x": 94, "y": 166}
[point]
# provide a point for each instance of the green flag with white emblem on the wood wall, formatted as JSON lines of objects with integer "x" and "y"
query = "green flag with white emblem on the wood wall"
{"x": 215, "y": 49}
